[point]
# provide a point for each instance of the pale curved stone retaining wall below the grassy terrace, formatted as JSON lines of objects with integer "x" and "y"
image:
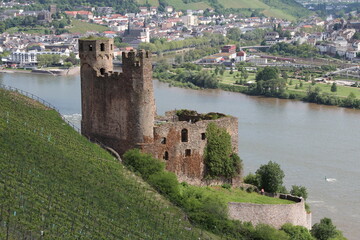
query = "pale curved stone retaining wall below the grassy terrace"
{"x": 275, "y": 215}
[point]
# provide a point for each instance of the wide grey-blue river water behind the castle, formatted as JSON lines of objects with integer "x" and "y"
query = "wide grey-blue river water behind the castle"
{"x": 310, "y": 142}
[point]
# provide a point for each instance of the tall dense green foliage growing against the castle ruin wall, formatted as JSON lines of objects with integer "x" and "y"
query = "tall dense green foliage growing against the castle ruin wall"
{"x": 220, "y": 161}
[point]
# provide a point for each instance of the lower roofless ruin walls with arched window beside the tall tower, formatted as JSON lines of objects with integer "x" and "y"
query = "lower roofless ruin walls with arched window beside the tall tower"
{"x": 185, "y": 158}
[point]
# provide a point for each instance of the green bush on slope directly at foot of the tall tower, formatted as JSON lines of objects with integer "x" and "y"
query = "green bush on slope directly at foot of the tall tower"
{"x": 143, "y": 163}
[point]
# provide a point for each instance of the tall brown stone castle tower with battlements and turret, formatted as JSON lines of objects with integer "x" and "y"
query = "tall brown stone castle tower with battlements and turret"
{"x": 118, "y": 109}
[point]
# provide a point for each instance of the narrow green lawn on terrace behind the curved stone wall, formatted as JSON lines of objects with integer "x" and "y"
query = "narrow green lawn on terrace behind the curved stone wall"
{"x": 237, "y": 195}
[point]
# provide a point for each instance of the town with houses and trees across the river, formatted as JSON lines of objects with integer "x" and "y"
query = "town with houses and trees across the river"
{"x": 316, "y": 49}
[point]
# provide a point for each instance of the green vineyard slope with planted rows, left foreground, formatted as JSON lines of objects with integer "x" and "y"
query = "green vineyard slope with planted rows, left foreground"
{"x": 53, "y": 180}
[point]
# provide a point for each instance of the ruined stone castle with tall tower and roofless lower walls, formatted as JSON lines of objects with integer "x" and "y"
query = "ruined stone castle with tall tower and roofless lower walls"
{"x": 118, "y": 110}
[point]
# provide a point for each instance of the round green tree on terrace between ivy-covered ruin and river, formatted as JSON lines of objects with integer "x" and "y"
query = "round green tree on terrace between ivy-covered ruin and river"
{"x": 270, "y": 177}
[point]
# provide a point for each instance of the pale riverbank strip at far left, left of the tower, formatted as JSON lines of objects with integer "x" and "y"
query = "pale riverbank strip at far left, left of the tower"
{"x": 52, "y": 71}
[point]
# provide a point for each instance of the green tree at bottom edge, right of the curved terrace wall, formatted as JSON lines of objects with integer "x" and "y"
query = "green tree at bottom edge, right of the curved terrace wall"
{"x": 325, "y": 230}
